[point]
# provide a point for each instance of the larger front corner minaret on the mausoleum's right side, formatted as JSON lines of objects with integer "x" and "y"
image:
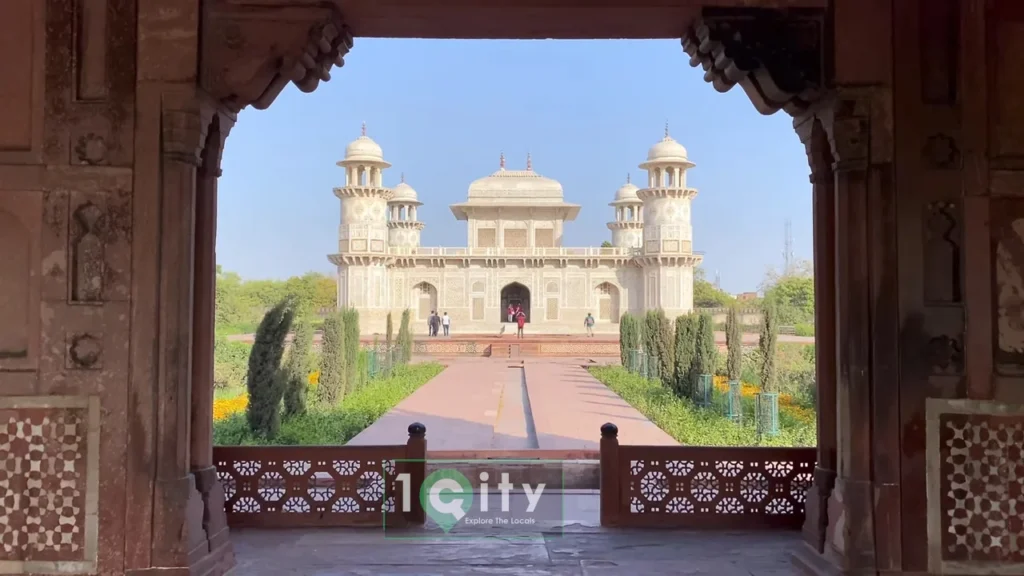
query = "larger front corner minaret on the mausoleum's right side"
{"x": 668, "y": 256}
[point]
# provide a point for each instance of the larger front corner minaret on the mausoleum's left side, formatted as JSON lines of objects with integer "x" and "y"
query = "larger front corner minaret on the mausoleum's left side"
{"x": 363, "y": 234}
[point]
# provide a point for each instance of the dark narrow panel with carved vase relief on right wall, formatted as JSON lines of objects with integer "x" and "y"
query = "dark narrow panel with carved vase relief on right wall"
{"x": 944, "y": 281}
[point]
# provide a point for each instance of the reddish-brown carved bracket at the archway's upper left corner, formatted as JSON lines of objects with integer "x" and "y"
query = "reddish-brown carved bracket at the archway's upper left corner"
{"x": 253, "y": 49}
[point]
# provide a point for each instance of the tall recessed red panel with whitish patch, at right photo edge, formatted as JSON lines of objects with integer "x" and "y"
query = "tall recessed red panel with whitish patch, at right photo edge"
{"x": 1008, "y": 253}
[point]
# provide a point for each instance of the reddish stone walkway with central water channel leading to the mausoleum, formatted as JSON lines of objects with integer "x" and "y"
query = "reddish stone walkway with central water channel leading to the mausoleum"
{"x": 494, "y": 404}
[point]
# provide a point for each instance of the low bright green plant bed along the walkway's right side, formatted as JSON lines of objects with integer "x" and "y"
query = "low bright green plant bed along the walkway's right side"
{"x": 692, "y": 426}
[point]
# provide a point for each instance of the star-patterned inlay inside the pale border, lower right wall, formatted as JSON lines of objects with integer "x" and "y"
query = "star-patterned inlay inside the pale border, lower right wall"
{"x": 982, "y": 478}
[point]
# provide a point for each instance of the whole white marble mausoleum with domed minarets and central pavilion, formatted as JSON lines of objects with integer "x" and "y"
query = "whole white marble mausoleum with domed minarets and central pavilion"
{"x": 515, "y": 252}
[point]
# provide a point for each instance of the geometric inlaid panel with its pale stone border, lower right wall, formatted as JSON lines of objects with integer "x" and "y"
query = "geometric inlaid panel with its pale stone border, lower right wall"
{"x": 975, "y": 486}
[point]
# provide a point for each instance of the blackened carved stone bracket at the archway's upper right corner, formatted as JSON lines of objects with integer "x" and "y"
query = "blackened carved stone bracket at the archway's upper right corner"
{"x": 777, "y": 57}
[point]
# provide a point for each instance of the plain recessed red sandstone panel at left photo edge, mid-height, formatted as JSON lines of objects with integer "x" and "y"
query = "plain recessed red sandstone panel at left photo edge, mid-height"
{"x": 21, "y": 218}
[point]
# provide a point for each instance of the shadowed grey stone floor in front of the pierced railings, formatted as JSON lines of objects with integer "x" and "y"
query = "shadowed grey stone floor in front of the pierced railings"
{"x": 577, "y": 547}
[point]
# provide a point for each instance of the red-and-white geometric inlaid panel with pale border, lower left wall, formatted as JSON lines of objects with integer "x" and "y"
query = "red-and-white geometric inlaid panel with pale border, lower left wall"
{"x": 49, "y": 485}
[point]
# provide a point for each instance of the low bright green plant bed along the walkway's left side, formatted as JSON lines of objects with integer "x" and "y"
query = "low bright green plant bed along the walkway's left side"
{"x": 334, "y": 426}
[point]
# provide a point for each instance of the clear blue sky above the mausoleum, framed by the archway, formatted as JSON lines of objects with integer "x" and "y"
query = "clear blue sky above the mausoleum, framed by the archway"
{"x": 444, "y": 111}
